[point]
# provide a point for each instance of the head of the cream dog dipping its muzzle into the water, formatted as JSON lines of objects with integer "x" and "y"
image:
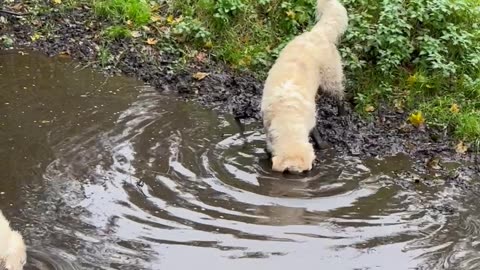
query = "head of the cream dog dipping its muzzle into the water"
{"x": 297, "y": 160}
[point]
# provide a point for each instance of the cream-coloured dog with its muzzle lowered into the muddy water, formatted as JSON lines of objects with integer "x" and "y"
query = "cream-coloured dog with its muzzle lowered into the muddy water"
{"x": 311, "y": 60}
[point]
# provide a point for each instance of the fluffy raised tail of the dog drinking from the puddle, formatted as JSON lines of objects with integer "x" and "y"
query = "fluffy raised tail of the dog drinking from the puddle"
{"x": 333, "y": 19}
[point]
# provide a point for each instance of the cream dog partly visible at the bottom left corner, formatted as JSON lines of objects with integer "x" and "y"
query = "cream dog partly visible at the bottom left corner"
{"x": 13, "y": 253}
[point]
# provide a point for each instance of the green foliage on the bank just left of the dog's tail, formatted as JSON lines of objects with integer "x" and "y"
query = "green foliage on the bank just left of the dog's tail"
{"x": 243, "y": 33}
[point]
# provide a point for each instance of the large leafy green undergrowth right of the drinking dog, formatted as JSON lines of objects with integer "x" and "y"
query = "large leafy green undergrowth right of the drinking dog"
{"x": 423, "y": 51}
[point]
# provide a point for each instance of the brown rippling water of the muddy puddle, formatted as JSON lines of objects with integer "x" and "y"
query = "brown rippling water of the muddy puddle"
{"x": 105, "y": 173}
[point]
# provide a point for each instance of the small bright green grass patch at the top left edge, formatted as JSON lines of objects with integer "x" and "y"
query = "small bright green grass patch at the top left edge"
{"x": 121, "y": 11}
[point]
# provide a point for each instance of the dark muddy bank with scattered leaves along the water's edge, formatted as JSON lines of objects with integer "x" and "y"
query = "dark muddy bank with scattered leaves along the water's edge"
{"x": 224, "y": 89}
